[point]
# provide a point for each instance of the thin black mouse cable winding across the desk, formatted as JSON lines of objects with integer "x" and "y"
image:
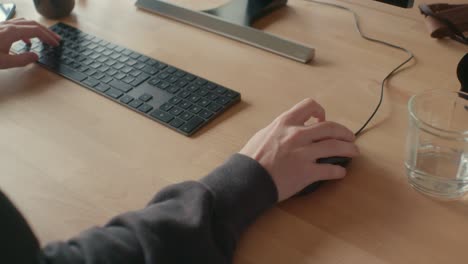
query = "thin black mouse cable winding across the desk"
{"x": 358, "y": 27}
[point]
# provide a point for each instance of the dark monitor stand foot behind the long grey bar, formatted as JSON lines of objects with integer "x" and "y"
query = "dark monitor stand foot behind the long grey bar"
{"x": 245, "y": 12}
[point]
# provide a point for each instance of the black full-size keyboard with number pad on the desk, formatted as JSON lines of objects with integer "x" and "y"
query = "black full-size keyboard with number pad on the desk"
{"x": 170, "y": 96}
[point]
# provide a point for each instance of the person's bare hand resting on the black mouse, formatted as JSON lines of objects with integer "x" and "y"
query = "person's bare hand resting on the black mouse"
{"x": 288, "y": 149}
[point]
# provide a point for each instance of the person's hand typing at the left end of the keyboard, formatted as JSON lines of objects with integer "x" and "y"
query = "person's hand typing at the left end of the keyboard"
{"x": 21, "y": 29}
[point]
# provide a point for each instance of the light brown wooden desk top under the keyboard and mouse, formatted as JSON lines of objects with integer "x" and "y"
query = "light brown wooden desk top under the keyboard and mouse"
{"x": 71, "y": 159}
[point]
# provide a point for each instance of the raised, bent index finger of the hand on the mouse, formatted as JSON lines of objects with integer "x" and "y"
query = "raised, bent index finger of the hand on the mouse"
{"x": 303, "y": 111}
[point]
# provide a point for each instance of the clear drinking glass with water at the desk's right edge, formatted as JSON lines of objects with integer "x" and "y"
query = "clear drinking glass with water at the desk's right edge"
{"x": 437, "y": 143}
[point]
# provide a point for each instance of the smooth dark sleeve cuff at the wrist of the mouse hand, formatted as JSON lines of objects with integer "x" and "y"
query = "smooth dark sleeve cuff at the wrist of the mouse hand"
{"x": 243, "y": 190}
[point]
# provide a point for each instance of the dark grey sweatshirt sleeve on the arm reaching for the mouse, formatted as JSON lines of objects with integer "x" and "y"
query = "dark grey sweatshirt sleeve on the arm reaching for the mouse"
{"x": 190, "y": 222}
